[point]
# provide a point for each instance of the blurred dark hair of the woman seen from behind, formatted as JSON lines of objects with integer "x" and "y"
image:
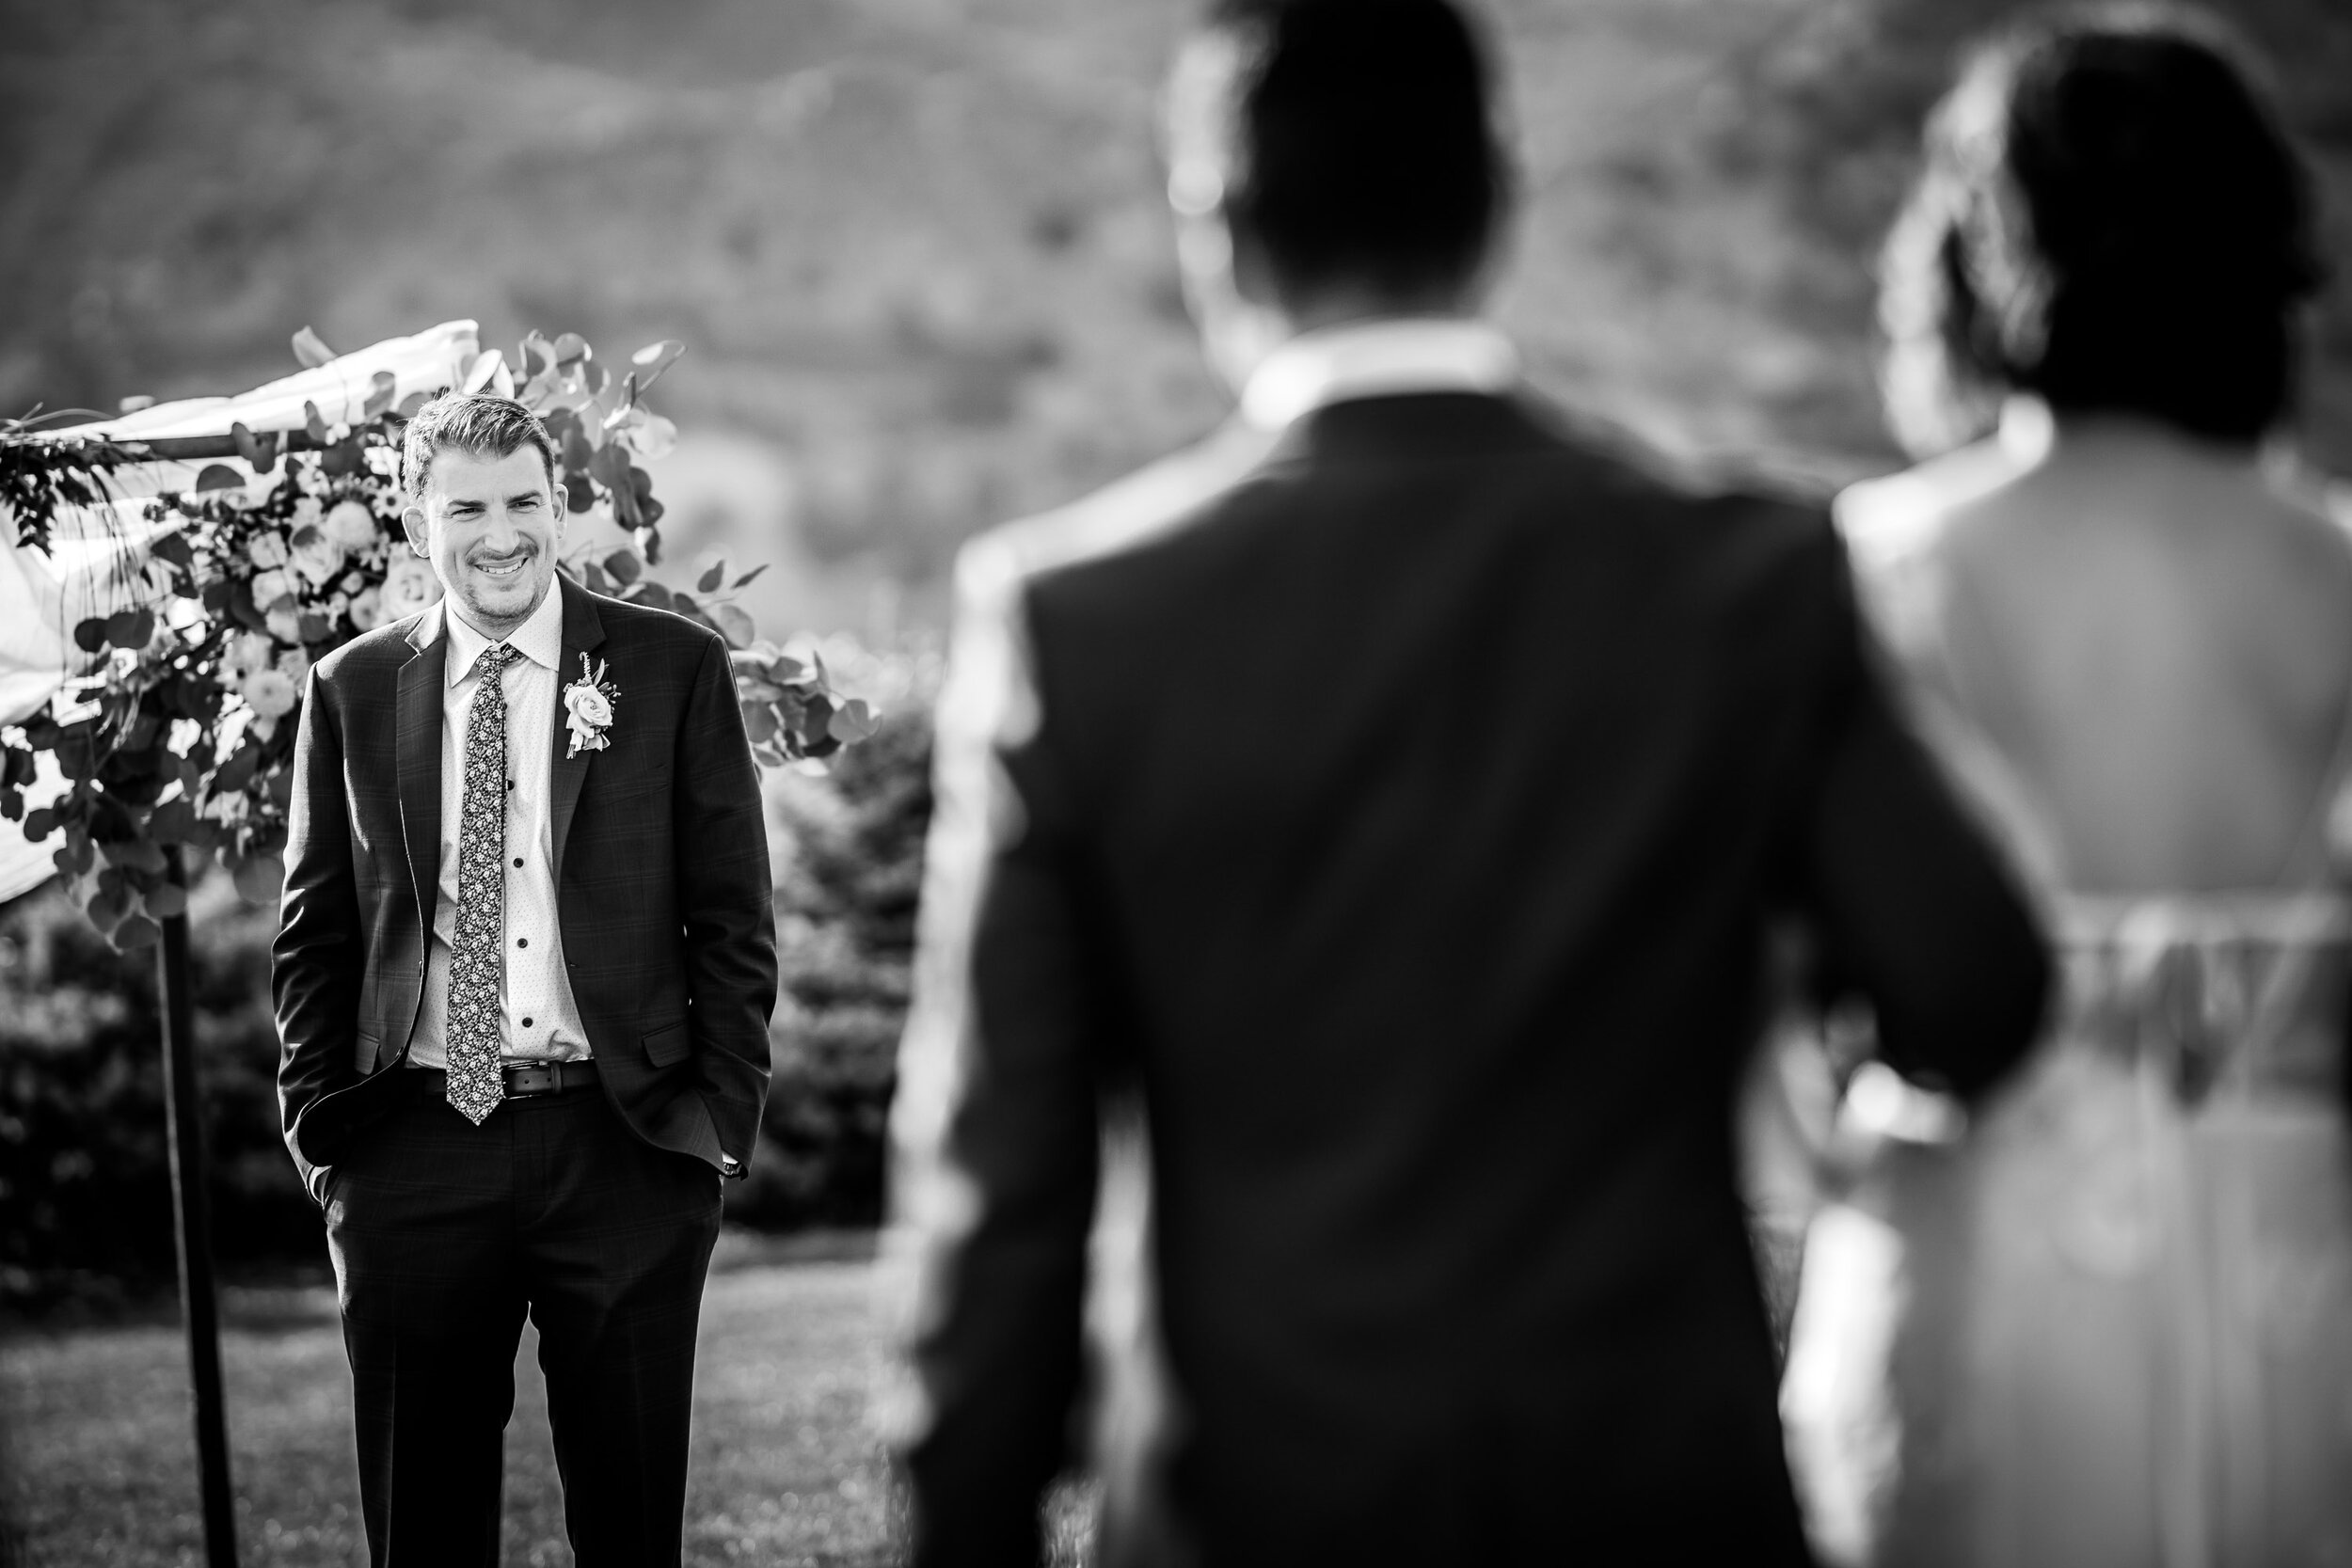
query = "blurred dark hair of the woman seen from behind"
{"x": 2111, "y": 217}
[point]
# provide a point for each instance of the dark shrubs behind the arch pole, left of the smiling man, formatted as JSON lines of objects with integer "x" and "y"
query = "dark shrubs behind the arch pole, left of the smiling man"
{"x": 86, "y": 1202}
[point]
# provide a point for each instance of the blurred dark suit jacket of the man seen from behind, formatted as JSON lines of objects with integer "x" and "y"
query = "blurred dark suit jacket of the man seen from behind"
{"x": 1405, "y": 822}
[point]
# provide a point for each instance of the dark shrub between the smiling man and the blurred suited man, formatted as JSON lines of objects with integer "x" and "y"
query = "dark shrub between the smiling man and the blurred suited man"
{"x": 846, "y": 909}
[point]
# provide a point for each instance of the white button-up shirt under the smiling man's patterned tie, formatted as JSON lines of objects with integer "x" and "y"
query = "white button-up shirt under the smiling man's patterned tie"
{"x": 542, "y": 1021}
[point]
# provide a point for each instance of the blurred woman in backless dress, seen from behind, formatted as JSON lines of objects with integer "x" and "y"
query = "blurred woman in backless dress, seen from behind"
{"x": 2111, "y": 1322}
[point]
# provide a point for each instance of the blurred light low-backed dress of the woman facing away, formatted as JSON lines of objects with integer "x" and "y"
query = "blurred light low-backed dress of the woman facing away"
{"x": 2113, "y": 1320}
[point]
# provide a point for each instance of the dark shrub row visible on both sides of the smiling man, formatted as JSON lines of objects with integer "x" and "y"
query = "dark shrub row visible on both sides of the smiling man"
{"x": 86, "y": 1202}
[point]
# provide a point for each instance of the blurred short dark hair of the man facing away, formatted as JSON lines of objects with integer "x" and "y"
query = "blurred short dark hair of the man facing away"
{"x": 1365, "y": 149}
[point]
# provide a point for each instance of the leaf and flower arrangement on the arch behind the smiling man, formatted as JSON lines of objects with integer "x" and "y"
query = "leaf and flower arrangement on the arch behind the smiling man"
{"x": 180, "y": 739}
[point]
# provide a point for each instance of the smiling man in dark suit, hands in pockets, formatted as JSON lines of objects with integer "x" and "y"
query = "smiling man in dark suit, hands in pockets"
{"x": 523, "y": 981}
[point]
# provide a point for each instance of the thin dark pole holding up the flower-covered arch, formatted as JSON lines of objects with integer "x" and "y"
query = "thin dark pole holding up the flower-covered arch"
{"x": 192, "y": 1212}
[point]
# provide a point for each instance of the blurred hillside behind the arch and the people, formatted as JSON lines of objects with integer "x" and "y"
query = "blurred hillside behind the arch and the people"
{"x": 918, "y": 246}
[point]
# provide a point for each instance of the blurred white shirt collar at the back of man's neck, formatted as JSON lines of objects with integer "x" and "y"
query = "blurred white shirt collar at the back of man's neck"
{"x": 1377, "y": 361}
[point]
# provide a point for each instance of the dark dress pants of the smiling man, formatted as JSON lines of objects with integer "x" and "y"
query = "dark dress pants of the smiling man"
{"x": 443, "y": 1238}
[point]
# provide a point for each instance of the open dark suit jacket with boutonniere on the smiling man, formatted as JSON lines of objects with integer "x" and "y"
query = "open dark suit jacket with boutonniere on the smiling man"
{"x": 662, "y": 883}
